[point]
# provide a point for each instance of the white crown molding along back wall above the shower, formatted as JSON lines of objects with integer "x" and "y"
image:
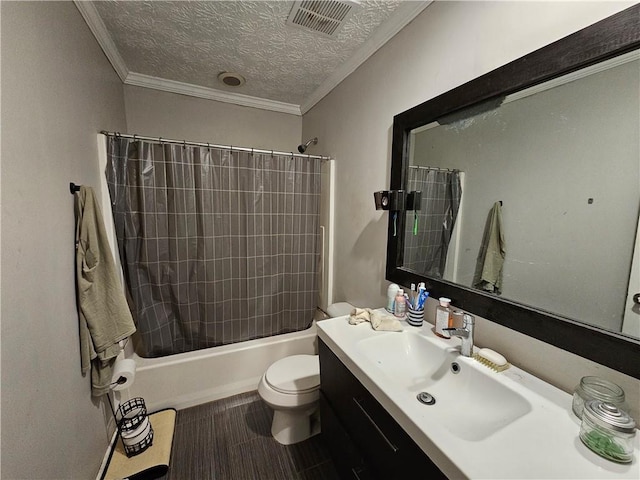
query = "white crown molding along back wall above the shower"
{"x": 140, "y": 80}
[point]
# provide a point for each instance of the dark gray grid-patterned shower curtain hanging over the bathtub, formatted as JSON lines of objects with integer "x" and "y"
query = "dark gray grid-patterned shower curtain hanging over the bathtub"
{"x": 217, "y": 246}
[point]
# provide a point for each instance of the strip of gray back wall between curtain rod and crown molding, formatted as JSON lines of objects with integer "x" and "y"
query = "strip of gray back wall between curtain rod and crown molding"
{"x": 170, "y": 115}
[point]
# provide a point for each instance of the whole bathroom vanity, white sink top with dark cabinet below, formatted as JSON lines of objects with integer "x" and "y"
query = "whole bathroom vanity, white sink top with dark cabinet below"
{"x": 483, "y": 424}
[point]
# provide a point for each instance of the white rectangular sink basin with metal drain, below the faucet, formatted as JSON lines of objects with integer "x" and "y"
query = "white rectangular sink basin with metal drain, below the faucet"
{"x": 472, "y": 403}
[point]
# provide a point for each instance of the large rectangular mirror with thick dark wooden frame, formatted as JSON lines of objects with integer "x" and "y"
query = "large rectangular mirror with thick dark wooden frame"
{"x": 544, "y": 152}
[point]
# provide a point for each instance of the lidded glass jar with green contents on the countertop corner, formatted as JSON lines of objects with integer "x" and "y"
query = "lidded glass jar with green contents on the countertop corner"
{"x": 608, "y": 431}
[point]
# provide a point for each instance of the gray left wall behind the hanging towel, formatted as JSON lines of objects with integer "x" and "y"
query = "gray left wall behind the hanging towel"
{"x": 58, "y": 90}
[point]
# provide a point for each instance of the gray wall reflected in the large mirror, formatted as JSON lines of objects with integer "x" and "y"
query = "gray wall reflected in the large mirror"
{"x": 544, "y": 156}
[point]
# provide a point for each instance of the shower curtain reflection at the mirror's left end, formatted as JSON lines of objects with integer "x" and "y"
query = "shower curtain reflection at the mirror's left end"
{"x": 426, "y": 251}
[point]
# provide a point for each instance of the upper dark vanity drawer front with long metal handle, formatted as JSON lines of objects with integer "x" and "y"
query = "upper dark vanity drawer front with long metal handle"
{"x": 385, "y": 446}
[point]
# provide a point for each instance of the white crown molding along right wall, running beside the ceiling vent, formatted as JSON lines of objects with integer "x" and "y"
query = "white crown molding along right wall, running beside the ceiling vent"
{"x": 405, "y": 13}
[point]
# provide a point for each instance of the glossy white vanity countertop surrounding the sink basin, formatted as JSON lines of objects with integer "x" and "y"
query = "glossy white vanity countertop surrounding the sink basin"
{"x": 543, "y": 443}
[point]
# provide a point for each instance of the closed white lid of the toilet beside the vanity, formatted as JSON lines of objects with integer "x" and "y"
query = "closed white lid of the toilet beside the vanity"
{"x": 295, "y": 374}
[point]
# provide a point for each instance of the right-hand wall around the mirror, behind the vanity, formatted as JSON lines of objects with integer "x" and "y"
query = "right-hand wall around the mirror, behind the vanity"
{"x": 448, "y": 44}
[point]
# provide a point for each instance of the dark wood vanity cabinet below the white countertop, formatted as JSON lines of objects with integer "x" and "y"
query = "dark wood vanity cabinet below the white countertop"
{"x": 364, "y": 440}
